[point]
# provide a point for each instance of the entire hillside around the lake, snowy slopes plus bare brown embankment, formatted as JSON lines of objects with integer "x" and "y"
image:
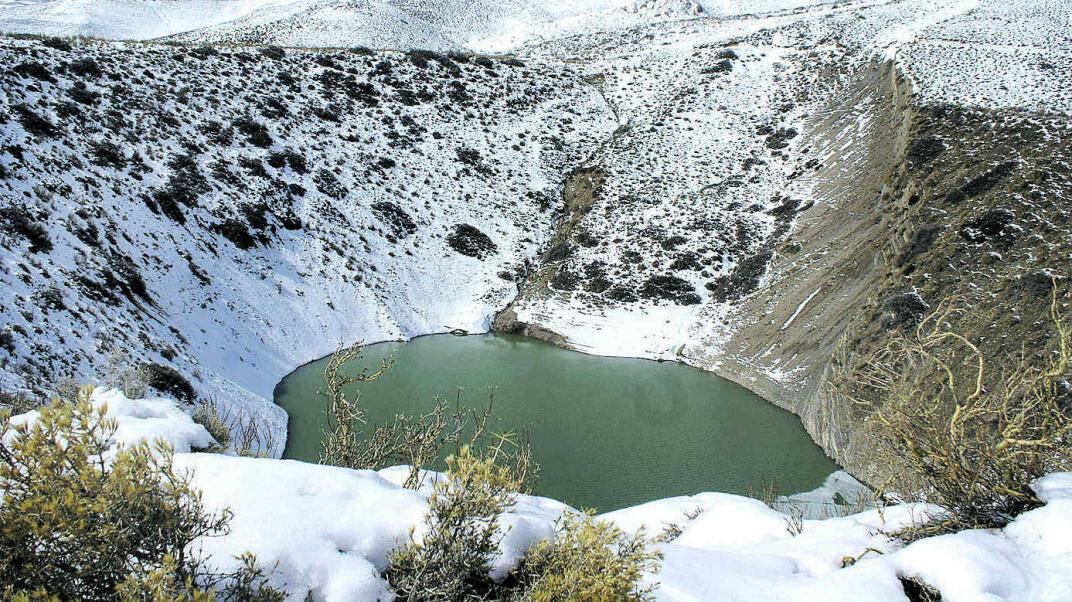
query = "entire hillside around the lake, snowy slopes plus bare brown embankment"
{"x": 742, "y": 192}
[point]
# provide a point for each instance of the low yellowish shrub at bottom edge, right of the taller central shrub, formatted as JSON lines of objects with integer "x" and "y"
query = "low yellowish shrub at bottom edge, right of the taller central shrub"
{"x": 590, "y": 561}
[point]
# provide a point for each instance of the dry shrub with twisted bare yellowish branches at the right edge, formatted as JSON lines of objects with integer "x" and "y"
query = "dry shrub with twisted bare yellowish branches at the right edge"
{"x": 975, "y": 435}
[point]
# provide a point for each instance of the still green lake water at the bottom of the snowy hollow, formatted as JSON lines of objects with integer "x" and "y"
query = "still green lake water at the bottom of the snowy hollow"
{"x": 607, "y": 432}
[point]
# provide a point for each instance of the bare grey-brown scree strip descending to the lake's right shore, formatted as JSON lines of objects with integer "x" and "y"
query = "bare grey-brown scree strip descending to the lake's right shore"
{"x": 830, "y": 266}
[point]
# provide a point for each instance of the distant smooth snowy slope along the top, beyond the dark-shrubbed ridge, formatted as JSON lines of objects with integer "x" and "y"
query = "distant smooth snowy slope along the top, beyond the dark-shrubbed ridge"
{"x": 482, "y": 25}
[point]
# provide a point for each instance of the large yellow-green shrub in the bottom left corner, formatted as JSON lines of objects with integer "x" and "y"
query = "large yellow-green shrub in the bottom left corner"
{"x": 77, "y": 523}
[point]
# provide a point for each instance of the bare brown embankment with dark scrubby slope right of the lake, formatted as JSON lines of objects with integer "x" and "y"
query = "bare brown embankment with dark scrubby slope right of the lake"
{"x": 917, "y": 204}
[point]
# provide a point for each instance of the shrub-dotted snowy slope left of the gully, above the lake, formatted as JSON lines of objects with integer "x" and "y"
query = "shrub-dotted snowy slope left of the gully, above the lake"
{"x": 237, "y": 215}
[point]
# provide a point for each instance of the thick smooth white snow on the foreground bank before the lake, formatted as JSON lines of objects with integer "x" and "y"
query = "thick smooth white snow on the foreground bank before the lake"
{"x": 330, "y": 531}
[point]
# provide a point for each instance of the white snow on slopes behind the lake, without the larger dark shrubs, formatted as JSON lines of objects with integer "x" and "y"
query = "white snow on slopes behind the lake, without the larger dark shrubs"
{"x": 623, "y": 86}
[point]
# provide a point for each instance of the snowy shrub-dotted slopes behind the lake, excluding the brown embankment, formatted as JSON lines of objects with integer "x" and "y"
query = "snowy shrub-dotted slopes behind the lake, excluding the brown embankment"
{"x": 236, "y": 213}
